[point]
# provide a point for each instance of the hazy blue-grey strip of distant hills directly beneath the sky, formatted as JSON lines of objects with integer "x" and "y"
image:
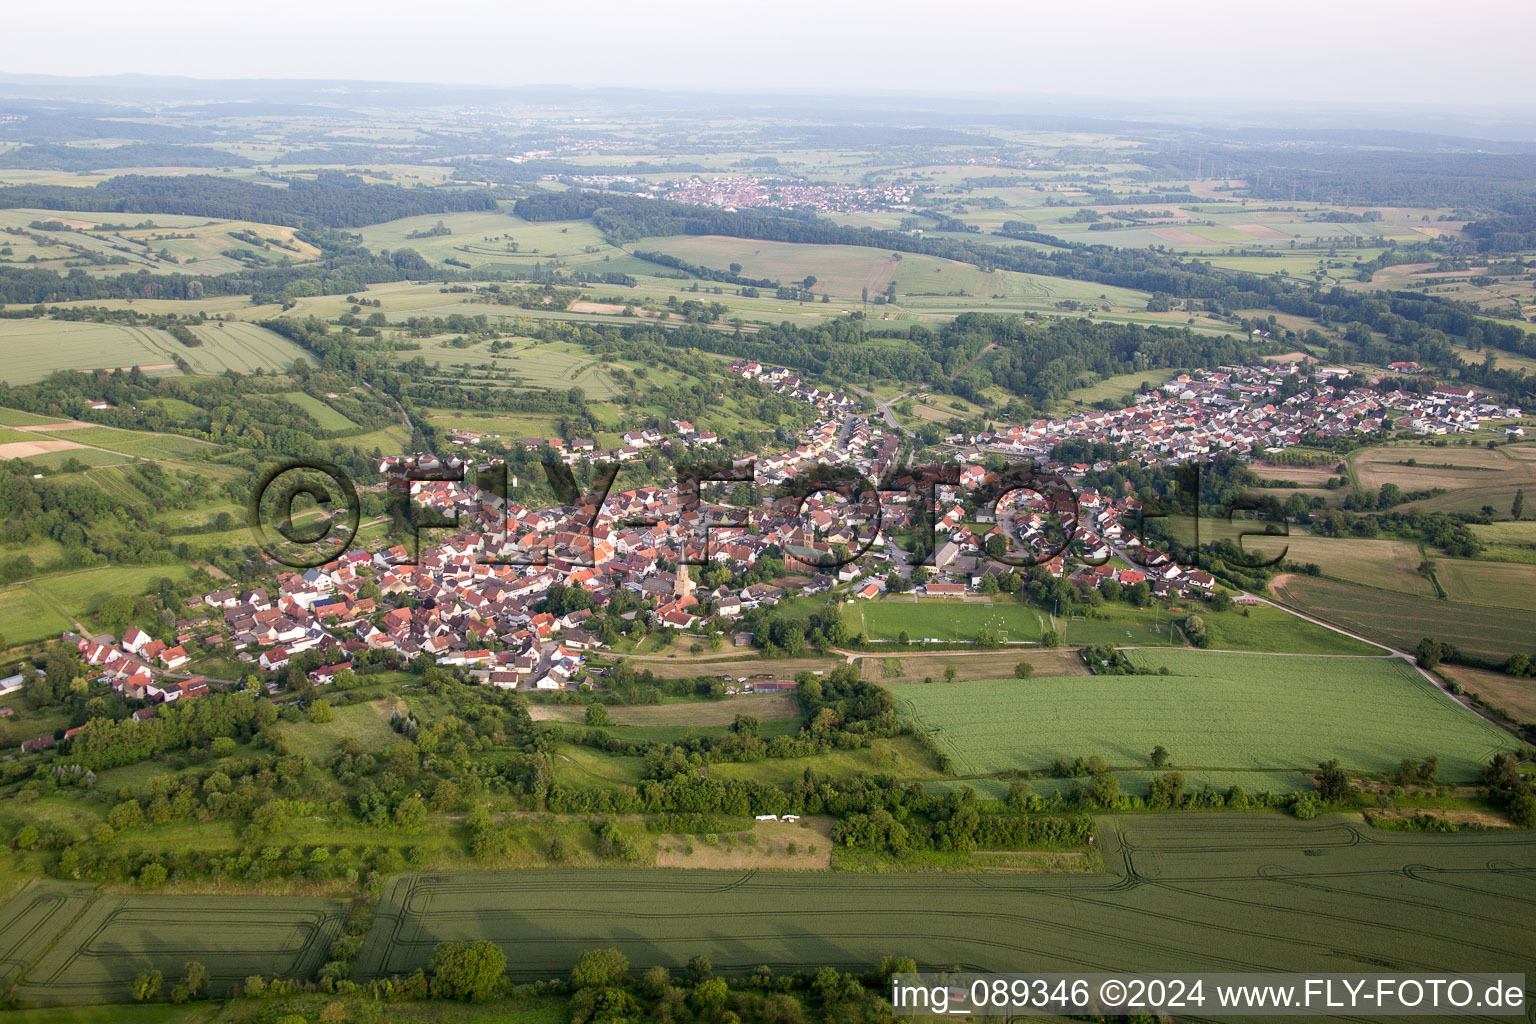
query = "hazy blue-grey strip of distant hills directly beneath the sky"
{"x": 1500, "y": 125}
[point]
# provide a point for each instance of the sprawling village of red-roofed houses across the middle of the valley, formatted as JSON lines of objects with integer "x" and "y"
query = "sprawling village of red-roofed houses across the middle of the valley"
{"x": 477, "y": 595}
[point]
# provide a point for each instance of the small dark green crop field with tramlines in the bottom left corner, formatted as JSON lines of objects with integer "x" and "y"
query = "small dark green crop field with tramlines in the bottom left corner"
{"x": 94, "y": 953}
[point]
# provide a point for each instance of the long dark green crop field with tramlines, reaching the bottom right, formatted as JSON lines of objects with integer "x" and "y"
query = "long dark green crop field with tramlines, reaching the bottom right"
{"x": 1231, "y": 893}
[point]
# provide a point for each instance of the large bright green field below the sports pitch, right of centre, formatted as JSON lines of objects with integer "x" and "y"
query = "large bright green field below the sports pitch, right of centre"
{"x": 1216, "y": 712}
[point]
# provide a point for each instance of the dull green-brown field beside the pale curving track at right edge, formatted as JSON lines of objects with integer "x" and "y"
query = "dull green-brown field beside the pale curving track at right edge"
{"x": 1402, "y": 621}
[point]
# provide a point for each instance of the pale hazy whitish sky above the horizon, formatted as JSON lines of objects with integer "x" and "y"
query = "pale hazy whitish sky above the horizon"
{"x": 1374, "y": 51}
